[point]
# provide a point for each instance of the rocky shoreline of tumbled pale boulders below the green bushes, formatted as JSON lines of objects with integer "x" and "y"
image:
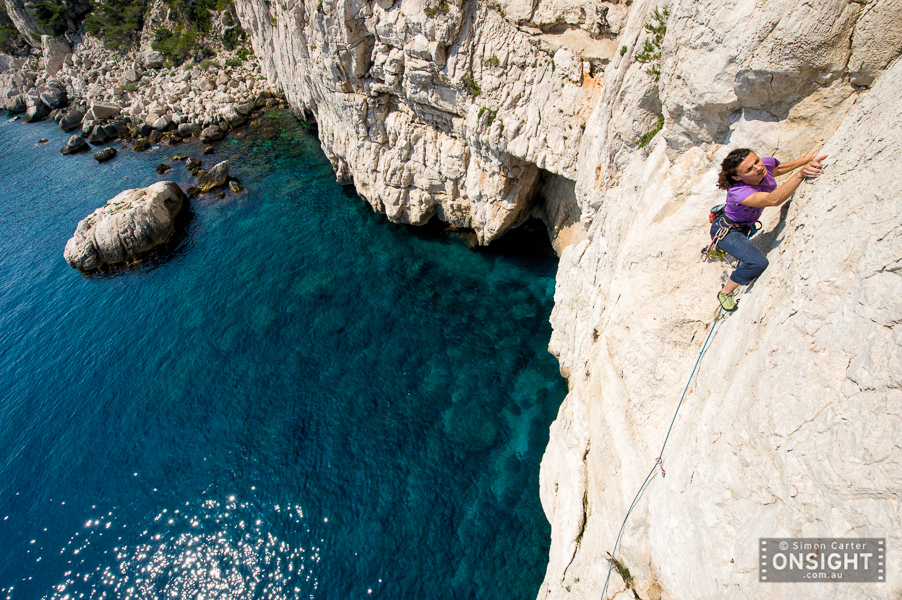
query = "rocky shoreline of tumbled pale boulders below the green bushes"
{"x": 103, "y": 95}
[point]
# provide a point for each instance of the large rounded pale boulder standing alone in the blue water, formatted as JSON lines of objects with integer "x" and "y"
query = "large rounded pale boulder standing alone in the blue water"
{"x": 126, "y": 228}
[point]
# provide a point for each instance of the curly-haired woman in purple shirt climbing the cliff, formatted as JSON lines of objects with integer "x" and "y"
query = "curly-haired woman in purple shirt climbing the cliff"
{"x": 750, "y": 184}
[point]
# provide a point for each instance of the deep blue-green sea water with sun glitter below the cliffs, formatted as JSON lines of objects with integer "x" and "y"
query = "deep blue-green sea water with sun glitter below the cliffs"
{"x": 298, "y": 400}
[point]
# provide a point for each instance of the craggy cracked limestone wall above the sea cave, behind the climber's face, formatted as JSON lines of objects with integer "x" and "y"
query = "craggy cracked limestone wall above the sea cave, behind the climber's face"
{"x": 452, "y": 113}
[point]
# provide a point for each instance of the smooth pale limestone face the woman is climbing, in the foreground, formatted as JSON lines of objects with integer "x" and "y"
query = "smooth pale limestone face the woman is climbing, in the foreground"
{"x": 789, "y": 427}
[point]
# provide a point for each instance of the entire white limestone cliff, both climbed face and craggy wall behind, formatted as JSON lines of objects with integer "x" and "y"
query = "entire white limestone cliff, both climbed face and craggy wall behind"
{"x": 485, "y": 113}
